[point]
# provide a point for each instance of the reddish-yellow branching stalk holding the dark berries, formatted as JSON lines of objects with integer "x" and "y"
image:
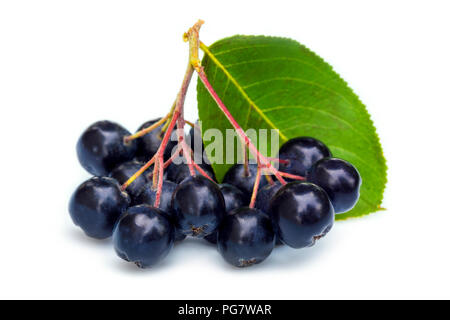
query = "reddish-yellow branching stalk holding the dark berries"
{"x": 176, "y": 117}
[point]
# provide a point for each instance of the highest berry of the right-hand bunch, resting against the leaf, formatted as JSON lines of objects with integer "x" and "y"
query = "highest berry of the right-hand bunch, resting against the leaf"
{"x": 302, "y": 153}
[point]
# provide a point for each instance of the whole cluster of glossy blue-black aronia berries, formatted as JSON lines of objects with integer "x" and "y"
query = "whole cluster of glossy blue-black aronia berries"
{"x": 296, "y": 214}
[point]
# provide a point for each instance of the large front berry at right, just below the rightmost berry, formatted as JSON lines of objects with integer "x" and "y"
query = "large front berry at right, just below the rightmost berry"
{"x": 302, "y": 214}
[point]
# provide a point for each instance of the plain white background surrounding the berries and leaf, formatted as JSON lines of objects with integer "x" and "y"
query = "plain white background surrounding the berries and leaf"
{"x": 67, "y": 64}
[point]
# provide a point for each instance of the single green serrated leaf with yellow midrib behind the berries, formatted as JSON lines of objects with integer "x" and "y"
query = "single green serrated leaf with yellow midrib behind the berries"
{"x": 269, "y": 82}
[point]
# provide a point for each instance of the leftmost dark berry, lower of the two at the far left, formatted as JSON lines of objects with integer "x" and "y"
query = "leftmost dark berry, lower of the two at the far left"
{"x": 96, "y": 206}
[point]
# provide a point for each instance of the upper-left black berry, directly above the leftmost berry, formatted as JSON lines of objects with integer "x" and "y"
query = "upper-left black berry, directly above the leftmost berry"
{"x": 101, "y": 147}
